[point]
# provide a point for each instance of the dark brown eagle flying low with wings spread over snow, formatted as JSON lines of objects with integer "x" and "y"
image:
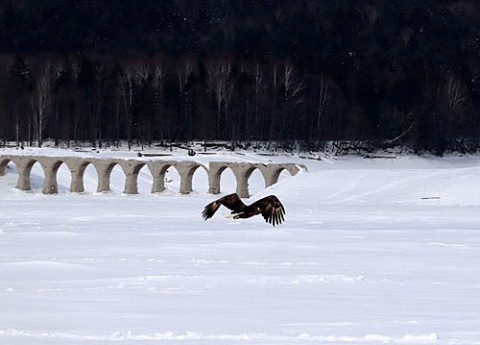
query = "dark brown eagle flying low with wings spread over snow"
{"x": 270, "y": 207}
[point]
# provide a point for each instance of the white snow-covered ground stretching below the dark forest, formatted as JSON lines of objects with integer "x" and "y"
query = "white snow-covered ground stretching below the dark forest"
{"x": 372, "y": 251}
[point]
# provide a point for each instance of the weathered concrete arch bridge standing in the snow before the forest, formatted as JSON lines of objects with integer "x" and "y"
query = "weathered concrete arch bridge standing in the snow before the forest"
{"x": 132, "y": 167}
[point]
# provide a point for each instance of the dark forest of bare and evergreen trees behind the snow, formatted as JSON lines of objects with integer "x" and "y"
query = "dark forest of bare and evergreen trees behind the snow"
{"x": 397, "y": 72}
